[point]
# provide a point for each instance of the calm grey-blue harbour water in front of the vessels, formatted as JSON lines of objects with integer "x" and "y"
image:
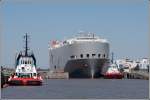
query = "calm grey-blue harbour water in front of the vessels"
{"x": 81, "y": 88}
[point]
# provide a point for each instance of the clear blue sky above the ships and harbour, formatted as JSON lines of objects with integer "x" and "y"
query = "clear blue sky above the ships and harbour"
{"x": 124, "y": 23}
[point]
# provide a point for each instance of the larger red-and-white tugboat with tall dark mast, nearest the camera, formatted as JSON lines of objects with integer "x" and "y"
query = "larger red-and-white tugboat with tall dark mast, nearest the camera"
{"x": 25, "y": 73}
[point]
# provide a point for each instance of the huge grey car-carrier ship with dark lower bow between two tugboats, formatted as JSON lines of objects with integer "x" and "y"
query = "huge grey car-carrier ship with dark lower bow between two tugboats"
{"x": 82, "y": 56}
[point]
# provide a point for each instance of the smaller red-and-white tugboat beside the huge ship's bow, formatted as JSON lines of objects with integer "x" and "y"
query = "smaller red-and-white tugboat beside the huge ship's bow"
{"x": 113, "y": 72}
